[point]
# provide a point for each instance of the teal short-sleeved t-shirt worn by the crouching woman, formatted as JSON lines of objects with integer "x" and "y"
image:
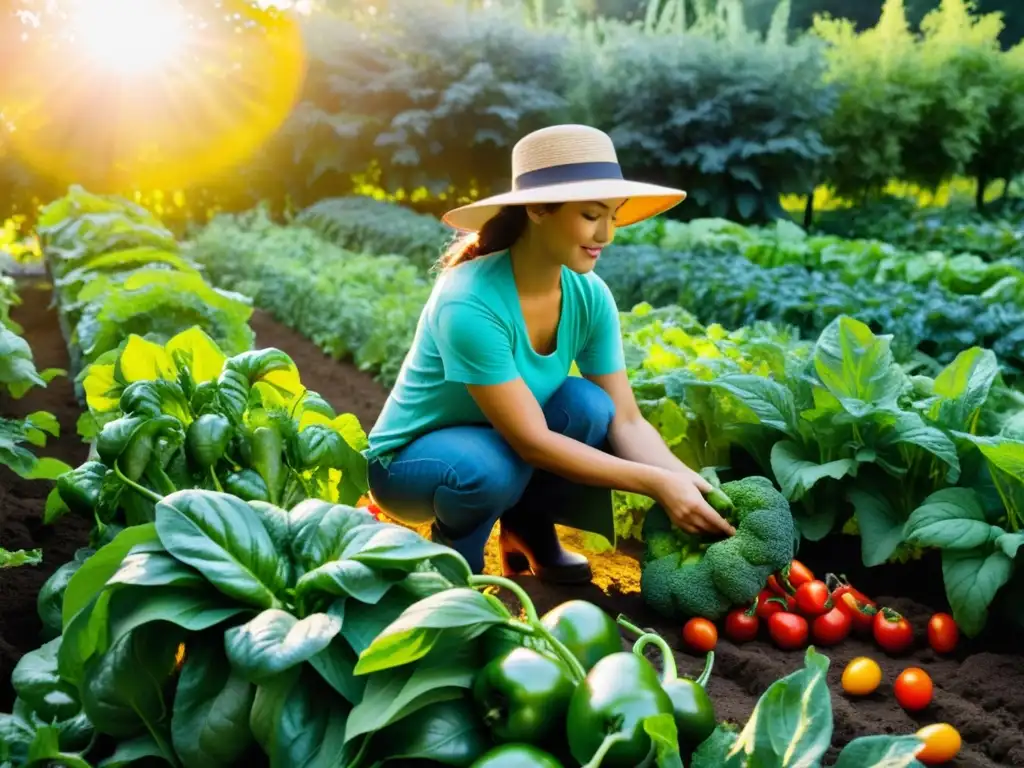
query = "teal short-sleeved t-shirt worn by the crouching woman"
{"x": 473, "y": 331}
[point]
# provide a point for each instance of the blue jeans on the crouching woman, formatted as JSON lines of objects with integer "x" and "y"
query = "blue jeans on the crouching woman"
{"x": 467, "y": 478}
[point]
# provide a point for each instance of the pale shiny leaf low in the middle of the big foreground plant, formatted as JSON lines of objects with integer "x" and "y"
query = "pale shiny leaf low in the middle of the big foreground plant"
{"x": 276, "y": 642}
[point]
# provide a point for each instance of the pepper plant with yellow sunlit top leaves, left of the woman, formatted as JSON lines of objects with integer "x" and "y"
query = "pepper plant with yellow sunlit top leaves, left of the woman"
{"x": 187, "y": 416}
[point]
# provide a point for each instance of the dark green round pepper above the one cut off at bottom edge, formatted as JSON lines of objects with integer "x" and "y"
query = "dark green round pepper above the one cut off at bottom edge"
{"x": 524, "y": 696}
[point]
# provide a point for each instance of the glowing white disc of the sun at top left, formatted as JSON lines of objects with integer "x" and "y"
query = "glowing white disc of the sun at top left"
{"x": 131, "y": 37}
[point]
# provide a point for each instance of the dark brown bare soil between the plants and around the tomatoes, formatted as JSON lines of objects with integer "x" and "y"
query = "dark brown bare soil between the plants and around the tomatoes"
{"x": 979, "y": 690}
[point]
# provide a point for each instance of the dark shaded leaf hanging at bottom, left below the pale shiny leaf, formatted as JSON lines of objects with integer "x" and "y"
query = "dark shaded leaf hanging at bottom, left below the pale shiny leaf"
{"x": 212, "y": 704}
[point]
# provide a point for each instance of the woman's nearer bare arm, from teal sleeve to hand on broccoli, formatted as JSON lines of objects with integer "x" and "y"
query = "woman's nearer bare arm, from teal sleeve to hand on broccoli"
{"x": 515, "y": 412}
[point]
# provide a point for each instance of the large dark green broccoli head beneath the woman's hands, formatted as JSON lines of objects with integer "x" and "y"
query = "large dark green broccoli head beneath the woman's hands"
{"x": 687, "y": 576}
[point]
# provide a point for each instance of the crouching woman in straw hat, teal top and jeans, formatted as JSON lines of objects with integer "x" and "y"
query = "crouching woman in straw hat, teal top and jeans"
{"x": 485, "y": 422}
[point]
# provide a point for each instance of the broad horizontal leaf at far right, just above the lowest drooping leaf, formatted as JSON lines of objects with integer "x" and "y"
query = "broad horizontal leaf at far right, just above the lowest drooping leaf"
{"x": 951, "y": 520}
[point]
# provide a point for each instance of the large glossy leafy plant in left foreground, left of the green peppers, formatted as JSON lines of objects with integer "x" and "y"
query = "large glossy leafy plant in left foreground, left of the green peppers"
{"x": 226, "y": 626}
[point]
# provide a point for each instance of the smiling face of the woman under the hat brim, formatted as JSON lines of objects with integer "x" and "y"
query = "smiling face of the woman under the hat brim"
{"x": 575, "y": 234}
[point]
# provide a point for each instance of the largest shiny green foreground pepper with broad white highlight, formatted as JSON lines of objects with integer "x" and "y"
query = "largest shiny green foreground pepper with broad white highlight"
{"x": 621, "y": 692}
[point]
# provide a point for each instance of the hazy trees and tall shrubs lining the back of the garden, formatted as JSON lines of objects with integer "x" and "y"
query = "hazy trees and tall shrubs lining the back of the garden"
{"x": 739, "y": 102}
